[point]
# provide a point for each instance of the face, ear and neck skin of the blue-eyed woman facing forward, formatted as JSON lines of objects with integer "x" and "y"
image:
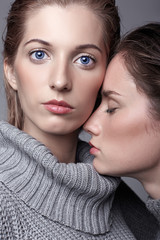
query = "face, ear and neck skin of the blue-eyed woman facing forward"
{"x": 64, "y": 62}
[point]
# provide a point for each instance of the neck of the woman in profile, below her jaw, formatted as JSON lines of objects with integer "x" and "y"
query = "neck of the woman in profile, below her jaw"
{"x": 151, "y": 181}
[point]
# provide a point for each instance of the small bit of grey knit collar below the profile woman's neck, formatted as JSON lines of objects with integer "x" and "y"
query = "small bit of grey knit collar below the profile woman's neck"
{"x": 154, "y": 207}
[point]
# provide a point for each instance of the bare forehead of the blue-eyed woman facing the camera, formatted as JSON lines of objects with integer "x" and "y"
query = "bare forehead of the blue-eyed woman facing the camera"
{"x": 74, "y": 21}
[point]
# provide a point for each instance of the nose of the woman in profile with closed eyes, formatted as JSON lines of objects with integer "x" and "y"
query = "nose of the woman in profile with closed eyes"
{"x": 92, "y": 126}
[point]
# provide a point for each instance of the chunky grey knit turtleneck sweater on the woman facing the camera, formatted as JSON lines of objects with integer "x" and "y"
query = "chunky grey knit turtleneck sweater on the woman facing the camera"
{"x": 42, "y": 199}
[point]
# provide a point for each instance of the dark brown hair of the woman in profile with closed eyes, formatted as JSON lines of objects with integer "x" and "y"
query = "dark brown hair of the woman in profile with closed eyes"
{"x": 140, "y": 50}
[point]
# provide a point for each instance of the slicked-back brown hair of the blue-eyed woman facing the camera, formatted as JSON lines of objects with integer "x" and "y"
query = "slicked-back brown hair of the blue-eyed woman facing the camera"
{"x": 20, "y": 11}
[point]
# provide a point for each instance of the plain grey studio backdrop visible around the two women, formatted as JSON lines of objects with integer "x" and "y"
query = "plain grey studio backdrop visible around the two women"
{"x": 132, "y": 12}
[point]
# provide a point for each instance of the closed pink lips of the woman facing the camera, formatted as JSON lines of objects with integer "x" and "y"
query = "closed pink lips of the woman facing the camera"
{"x": 58, "y": 107}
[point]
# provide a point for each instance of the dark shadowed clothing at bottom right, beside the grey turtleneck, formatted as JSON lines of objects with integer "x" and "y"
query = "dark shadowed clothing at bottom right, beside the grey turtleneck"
{"x": 139, "y": 219}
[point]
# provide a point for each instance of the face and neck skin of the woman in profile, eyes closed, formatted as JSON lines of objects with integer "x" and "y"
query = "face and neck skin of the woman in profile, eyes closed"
{"x": 125, "y": 137}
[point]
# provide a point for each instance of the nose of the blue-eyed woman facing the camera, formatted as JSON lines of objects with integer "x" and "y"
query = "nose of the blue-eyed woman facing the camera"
{"x": 60, "y": 78}
